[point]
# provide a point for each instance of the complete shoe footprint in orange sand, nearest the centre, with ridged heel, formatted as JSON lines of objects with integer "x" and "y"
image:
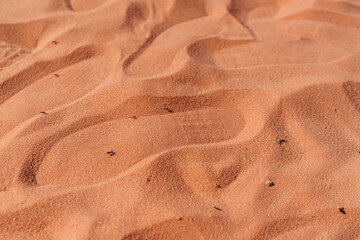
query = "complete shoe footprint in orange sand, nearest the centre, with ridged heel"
{"x": 132, "y": 142}
